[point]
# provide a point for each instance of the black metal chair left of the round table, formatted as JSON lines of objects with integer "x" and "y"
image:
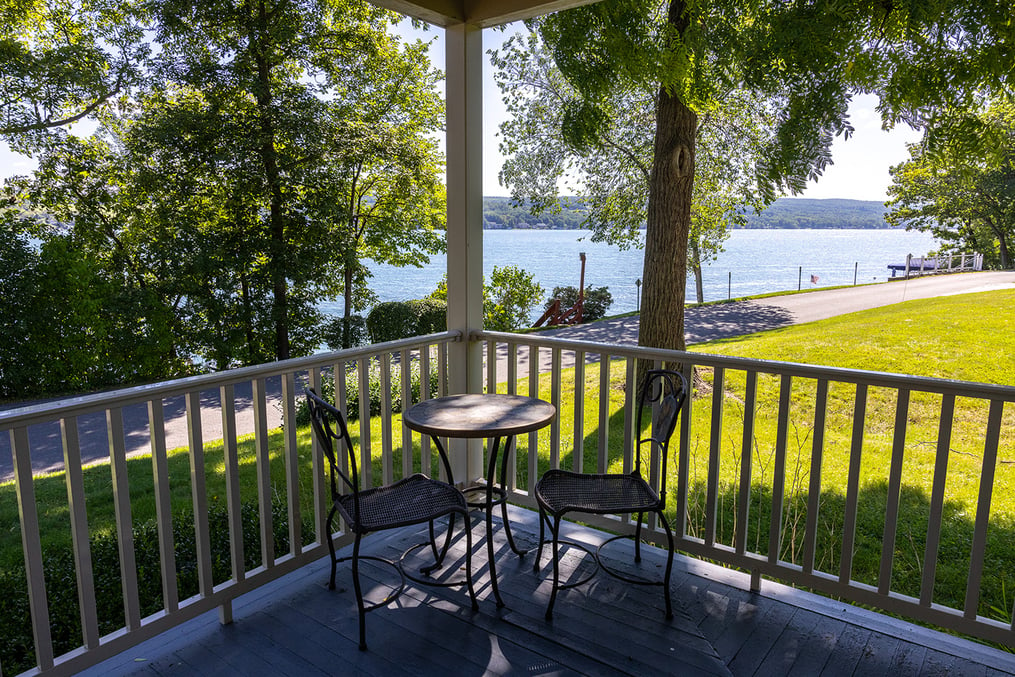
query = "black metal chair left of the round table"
{"x": 412, "y": 501}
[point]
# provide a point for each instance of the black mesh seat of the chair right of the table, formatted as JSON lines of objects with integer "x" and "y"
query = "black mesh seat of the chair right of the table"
{"x": 561, "y": 492}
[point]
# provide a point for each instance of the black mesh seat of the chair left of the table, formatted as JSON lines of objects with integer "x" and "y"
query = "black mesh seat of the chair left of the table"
{"x": 415, "y": 500}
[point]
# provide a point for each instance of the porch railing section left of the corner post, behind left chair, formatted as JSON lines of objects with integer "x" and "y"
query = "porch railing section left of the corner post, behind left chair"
{"x": 304, "y": 491}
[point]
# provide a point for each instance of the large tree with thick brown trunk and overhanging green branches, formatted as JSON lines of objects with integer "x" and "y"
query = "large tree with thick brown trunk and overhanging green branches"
{"x": 806, "y": 57}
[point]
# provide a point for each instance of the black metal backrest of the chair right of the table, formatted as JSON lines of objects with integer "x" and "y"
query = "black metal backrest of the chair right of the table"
{"x": 663, "y": 392}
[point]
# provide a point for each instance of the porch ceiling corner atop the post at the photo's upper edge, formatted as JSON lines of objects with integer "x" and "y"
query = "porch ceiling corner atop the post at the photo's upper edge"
{"x": 483, "y": 14}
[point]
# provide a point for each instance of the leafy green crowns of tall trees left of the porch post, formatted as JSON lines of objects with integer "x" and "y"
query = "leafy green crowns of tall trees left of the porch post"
{"x": 255, "y": 167}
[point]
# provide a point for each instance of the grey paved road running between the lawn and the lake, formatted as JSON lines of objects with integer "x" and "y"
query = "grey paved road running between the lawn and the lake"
{"x": 702, "y": 324}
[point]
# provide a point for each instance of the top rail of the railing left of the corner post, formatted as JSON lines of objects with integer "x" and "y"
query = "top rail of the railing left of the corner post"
{"x": 72, "y": 407}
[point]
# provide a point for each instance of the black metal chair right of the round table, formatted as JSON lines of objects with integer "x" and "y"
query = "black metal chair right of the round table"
{"x": 560, "y": 493}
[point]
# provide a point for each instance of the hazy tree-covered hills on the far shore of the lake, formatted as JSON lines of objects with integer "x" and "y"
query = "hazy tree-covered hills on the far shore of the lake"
{"x": 784, "y": 214}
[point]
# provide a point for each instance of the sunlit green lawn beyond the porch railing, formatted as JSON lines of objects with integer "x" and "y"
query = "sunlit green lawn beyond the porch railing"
{"x": 968, "y": 337}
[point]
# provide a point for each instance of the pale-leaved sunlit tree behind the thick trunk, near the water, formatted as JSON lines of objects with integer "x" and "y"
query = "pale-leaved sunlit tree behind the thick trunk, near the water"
{"x": 612, "y": 175}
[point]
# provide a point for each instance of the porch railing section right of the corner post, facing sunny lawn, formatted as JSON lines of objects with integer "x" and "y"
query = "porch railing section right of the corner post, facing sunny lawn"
{"x": 825, "y": 443}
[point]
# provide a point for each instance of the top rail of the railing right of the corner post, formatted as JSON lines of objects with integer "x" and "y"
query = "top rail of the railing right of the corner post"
{"x": 868, "y": 378}
